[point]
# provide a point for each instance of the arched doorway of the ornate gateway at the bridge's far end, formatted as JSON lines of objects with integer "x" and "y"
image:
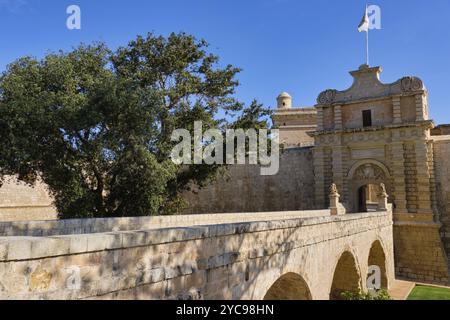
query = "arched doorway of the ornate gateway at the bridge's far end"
{"x": 364, "y": 175}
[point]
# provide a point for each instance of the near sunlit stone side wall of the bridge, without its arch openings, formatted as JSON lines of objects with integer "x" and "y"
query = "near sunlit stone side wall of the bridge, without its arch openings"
{"x": 218, "y": 261}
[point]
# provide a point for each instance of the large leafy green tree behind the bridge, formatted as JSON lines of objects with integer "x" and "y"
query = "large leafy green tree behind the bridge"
{"x": 96, "y": 125}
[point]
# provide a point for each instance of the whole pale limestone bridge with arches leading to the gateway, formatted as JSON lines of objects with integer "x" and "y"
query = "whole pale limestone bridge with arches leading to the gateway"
{"x": 279, "y": 255}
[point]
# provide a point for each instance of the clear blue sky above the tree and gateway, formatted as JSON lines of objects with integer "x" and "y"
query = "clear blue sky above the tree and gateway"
{"x": 299, "y": 46}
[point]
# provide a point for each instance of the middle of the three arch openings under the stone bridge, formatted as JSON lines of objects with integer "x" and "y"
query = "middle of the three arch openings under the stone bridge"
{"x": 346, "y": 276}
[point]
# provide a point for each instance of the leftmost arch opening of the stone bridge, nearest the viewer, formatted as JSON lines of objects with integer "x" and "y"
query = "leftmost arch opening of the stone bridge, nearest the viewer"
{"x": 290, "y": 286}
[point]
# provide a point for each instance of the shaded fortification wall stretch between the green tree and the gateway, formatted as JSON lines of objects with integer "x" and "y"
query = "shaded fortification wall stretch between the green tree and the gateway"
{"x": 245, "y": 190}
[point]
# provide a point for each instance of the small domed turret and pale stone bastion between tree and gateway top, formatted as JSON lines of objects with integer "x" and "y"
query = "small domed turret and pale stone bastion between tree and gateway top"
{"x": 294, "y": 123}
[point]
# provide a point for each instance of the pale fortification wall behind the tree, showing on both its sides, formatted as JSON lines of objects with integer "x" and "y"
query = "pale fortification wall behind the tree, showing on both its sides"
{"x": 242, "y": 189}
